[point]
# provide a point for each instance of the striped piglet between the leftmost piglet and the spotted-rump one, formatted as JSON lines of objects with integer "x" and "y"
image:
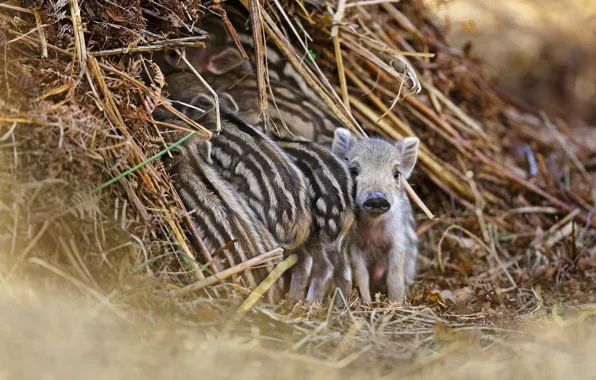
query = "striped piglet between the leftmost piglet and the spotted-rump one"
{"x": 261, "y": 172}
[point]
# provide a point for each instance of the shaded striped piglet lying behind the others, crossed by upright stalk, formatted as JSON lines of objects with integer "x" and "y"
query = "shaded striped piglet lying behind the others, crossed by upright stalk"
{"x": 295, "y": 111}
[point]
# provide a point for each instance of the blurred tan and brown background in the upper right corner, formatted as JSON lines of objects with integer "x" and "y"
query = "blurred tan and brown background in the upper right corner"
{"x": 543, "y": 51}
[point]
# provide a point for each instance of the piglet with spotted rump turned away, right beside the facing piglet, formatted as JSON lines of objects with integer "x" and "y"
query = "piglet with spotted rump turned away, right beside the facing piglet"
{"x": 330, "y": 192}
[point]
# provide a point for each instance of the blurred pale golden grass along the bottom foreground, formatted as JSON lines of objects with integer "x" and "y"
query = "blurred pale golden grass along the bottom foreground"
{"x": 50, "y": 330}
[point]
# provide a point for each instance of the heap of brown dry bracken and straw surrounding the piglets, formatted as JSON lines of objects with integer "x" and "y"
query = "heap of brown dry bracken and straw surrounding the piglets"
{"x": 514, "y": 237}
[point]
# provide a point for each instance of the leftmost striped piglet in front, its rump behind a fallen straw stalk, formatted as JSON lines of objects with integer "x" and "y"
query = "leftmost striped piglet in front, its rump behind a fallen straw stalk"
{"x": 219, "y": 215}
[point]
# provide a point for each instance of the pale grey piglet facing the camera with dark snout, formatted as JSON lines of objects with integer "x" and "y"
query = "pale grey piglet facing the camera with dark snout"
{"x": 384, "y": 244}
